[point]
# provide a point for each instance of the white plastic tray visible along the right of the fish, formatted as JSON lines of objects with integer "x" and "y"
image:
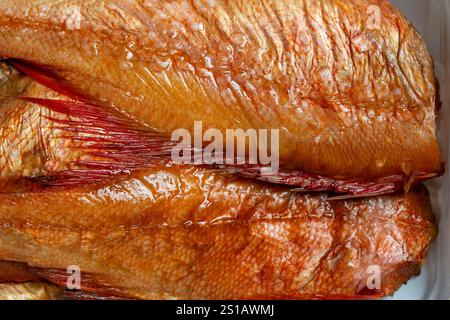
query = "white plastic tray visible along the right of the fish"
{"x": 432, "y": 19}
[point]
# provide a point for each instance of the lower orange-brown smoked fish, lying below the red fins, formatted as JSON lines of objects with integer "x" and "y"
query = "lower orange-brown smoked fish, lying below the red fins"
{"x": 168, "y": 238}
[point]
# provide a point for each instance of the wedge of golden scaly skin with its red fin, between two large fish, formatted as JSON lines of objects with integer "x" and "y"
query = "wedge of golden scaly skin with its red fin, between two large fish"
{"x": 39, "y": 143}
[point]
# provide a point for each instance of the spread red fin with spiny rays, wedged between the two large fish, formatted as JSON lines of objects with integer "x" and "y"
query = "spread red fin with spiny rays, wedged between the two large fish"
{"x": 117, "y": 144}
